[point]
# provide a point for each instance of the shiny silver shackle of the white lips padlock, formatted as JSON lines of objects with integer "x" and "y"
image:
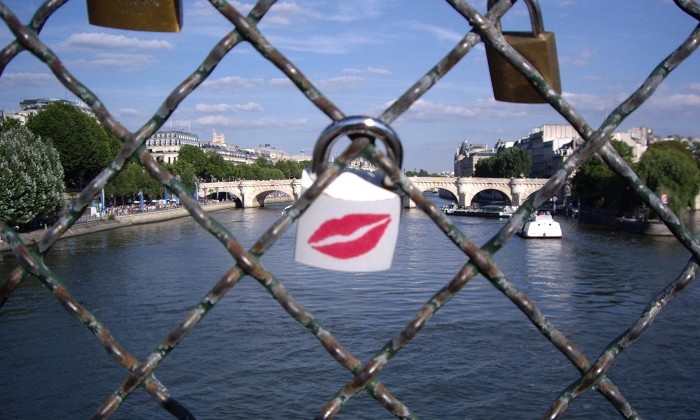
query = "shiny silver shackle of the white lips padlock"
{"x": 355, "y": 125}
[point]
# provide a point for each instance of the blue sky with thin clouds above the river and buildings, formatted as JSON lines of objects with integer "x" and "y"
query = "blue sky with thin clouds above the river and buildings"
{"x": 363, "y": 55}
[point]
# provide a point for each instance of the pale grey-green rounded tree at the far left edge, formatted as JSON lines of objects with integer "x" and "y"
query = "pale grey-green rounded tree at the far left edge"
{"x": 31, "y": 176}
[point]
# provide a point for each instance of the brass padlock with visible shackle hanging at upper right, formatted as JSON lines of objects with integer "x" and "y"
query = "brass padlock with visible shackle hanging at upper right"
{"x": 538, "y": 47}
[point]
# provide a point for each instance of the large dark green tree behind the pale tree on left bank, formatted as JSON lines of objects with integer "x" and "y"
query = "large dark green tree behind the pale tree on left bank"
{"x": 83, "y": 144}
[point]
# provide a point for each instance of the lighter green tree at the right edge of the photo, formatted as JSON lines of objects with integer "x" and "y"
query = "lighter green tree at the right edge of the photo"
{"x": 670, "y": 168}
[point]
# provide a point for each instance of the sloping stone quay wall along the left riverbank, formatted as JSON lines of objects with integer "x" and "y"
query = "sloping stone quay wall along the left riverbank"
{"x": 119, "y": 221}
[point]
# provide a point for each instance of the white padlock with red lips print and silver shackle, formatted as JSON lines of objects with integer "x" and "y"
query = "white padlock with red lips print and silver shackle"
{"x": 354, "y": 224}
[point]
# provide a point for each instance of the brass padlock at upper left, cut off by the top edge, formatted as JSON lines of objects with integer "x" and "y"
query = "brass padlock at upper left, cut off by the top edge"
{"x": 137, "y": 15}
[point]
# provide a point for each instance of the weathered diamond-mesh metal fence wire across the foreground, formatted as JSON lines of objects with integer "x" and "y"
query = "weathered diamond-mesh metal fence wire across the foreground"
{"x": 366, "y": 374}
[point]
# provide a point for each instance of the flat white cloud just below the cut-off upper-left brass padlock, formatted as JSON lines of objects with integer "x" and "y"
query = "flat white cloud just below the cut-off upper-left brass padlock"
{"x": 102, "y": 41}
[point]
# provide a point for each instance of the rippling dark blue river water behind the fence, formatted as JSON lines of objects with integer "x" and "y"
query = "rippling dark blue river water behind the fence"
{"x": 478, "y": 358}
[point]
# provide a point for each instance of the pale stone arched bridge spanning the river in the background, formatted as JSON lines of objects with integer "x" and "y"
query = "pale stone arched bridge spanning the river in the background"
{"x": 253, "y": 193}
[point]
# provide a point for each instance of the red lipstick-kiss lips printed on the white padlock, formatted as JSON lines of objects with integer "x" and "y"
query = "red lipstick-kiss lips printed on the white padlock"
{"x": 350, "y": 236}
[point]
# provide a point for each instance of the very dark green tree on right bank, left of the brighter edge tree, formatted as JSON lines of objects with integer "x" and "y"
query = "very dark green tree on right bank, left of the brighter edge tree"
{"x": 598, "y": 186}
